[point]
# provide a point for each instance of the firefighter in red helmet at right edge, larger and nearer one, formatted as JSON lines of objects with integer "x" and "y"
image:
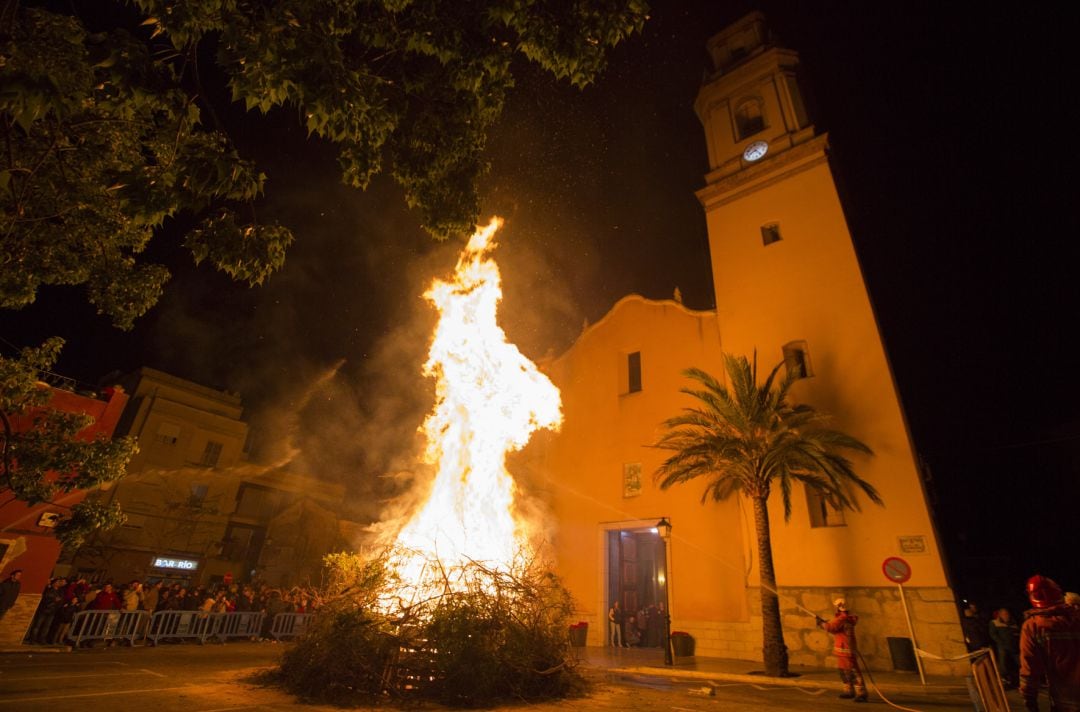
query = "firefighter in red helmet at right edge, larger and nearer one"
{"x": 1050, "y": 649}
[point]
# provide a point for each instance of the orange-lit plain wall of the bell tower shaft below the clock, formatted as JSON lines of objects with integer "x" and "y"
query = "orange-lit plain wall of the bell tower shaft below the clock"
{"x": 809, "y": 287}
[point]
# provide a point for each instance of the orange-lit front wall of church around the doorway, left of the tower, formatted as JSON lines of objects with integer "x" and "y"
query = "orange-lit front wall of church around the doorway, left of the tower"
{"x": 606, "y": 428}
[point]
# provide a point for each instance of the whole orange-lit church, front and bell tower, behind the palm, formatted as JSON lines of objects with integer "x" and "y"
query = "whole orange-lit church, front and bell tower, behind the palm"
{"x": 789, "y": 288}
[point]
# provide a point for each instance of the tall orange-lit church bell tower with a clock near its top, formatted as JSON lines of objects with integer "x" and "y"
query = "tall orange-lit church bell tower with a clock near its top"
{"x": 790, "y": 289}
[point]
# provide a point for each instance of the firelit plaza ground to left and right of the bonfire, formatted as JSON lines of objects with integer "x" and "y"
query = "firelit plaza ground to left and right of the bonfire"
{"x": 218, "y": 678}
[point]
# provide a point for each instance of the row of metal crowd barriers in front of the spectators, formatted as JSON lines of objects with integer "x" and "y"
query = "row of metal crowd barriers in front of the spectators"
{"x": 178, "y": 626}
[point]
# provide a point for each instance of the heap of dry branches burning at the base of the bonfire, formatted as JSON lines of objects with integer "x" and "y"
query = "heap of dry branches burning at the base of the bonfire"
{"x": 490, "y": 636}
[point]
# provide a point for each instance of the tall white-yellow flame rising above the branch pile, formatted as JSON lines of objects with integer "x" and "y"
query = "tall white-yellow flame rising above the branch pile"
{"x": 489, "y": 401}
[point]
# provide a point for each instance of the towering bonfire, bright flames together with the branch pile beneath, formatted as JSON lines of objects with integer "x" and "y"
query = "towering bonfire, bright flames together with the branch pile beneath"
{"x": 458, "y": 609}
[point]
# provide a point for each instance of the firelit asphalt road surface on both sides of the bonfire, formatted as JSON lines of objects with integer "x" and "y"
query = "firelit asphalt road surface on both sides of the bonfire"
{"x": 221, "y": 679}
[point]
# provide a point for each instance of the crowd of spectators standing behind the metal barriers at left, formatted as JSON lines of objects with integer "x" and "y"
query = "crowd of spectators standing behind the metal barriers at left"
{"x": 63, "y": 599}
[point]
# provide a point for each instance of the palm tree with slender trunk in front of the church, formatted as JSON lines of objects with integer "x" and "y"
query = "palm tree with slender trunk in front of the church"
{"x": 746, "y": 438}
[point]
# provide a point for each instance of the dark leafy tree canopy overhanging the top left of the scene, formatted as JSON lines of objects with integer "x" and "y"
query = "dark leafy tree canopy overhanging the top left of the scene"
{"x": 111, "y": 130}
